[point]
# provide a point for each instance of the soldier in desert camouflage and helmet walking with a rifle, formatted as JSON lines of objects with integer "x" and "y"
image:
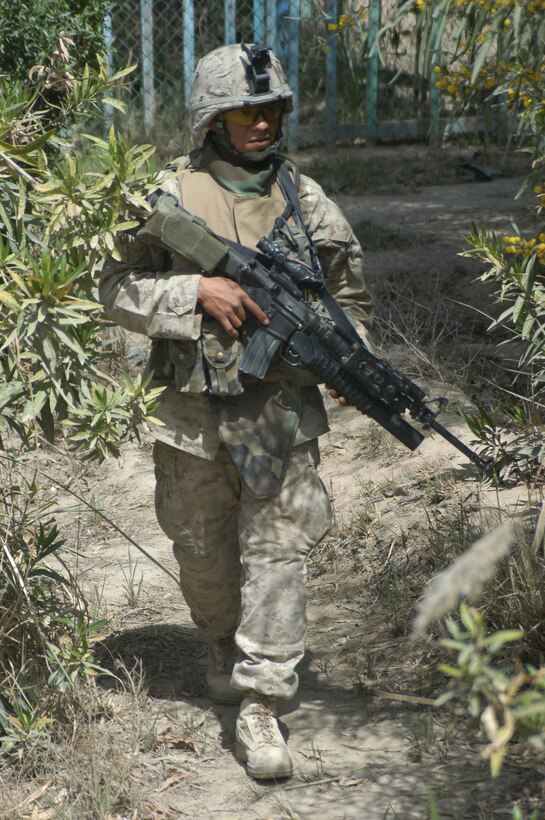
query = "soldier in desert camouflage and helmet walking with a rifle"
{"x": 235, "y": 460}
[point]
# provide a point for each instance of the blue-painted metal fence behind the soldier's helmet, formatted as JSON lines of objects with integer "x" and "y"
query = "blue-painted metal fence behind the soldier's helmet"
{"x": 341, "y": 90}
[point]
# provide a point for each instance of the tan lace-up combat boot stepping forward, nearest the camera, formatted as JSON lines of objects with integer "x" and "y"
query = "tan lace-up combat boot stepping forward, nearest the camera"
{"x": 259, "y": 741}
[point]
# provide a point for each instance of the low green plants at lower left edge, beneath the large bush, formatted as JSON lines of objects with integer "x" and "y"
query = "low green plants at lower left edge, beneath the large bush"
{"x": 46, "y": 636}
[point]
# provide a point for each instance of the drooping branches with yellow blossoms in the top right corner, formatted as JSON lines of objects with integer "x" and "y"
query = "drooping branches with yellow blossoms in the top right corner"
{"x": 481, "y": 56}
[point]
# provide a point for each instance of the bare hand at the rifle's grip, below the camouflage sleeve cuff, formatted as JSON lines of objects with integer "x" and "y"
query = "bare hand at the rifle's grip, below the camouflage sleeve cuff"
{"x": 226, "y": 302}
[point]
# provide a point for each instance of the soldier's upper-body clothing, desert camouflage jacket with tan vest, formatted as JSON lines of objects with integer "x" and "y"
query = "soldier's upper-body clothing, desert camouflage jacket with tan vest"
{"x": 154, "y": 293}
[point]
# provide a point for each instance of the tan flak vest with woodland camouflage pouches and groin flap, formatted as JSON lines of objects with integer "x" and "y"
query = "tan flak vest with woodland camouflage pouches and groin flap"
{"x": 258, "y": 423}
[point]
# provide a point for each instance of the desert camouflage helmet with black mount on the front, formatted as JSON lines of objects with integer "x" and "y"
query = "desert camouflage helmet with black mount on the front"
{"x": 233, "y": 76}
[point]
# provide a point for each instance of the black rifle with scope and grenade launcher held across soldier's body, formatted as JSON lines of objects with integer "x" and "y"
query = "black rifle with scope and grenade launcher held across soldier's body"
{"x": 329, "y": 347}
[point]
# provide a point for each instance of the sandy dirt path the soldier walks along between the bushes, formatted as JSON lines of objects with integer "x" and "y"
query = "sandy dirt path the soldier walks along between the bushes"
{"x": 359, "y": 752}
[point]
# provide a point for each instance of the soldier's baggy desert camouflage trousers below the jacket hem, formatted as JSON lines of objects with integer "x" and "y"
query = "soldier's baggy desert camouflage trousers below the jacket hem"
{"x": 242, "y": 559}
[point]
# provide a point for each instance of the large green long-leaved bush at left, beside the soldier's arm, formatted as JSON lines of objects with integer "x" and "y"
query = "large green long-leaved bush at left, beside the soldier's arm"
{"x": 59, "y": 215}
